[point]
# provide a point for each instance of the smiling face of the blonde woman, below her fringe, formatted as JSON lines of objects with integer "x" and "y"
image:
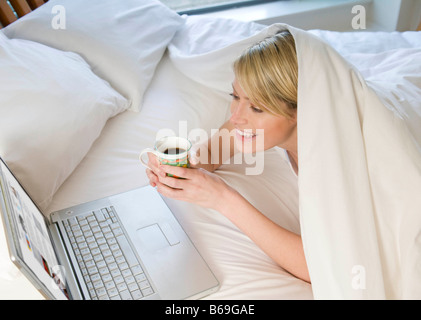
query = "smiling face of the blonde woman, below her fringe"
{"x": 258, "y": 130}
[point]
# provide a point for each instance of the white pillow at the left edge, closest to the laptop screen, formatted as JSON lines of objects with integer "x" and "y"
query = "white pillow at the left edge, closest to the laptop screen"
{"x": 52, "y": 108}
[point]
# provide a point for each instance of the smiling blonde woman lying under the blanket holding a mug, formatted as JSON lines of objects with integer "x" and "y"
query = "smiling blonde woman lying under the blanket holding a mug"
{"x": 264, "y": 97}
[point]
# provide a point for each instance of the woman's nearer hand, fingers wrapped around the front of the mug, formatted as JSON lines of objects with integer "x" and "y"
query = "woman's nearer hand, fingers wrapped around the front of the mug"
{"x": 197, "y": 186}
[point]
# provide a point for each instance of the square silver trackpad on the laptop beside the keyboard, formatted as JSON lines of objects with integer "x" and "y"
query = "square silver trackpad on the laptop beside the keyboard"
{"x": 156, "y": 237}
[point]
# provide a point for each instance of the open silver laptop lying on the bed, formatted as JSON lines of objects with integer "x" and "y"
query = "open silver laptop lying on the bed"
{"x": 126, "y": 246}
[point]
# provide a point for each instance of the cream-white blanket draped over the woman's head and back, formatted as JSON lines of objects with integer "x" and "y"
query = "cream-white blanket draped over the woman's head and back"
{"x": 359, "y": 157}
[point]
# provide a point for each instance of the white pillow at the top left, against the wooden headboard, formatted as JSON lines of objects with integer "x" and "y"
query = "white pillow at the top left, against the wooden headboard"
{"x": 122, "y": 40}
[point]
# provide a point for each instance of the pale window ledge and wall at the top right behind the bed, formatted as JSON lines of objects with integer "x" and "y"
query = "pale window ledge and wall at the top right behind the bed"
{"x": 335, "y": 15}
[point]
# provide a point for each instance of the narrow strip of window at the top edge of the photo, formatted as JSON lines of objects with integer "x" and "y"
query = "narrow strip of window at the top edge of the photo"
{"x": 202, "y": 6}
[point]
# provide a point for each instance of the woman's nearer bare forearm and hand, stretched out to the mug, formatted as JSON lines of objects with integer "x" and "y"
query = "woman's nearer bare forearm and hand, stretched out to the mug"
{"x": 208, "y": 190}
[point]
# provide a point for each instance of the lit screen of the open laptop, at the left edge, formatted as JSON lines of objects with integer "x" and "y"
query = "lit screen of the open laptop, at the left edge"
{"x": 29, "y": 235}
